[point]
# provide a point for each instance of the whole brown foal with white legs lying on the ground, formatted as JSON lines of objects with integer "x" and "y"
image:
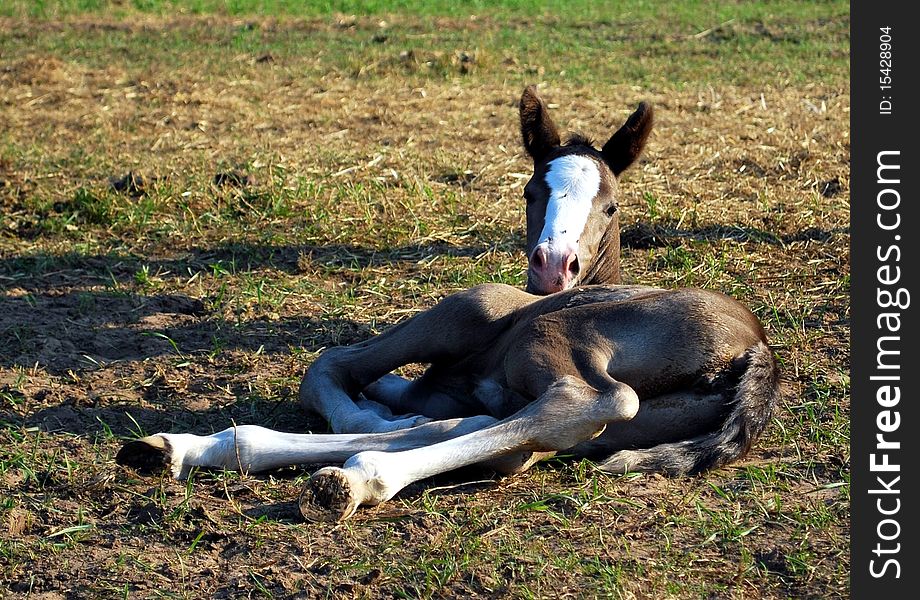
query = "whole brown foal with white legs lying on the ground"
{"x": 639, "y": 378}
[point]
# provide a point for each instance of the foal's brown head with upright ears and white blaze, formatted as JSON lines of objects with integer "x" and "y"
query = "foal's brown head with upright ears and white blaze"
{"x": 573, "y": 231}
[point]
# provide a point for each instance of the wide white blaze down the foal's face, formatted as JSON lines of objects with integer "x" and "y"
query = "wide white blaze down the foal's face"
{"x": 573, "y": 182}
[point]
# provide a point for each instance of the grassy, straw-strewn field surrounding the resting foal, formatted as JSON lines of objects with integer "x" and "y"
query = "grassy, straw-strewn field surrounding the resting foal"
{"x": 199, "y": 197}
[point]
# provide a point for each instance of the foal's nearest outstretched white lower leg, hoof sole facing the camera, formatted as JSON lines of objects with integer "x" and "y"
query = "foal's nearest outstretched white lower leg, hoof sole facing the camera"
{"x": 569, "y": 412}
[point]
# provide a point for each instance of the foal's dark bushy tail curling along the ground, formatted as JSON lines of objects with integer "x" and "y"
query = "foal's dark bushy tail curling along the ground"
{"x": 756, "y": 393}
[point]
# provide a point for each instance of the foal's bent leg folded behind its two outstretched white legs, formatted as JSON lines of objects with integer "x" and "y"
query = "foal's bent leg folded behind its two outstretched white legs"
{"x": 455, "y": 328}
